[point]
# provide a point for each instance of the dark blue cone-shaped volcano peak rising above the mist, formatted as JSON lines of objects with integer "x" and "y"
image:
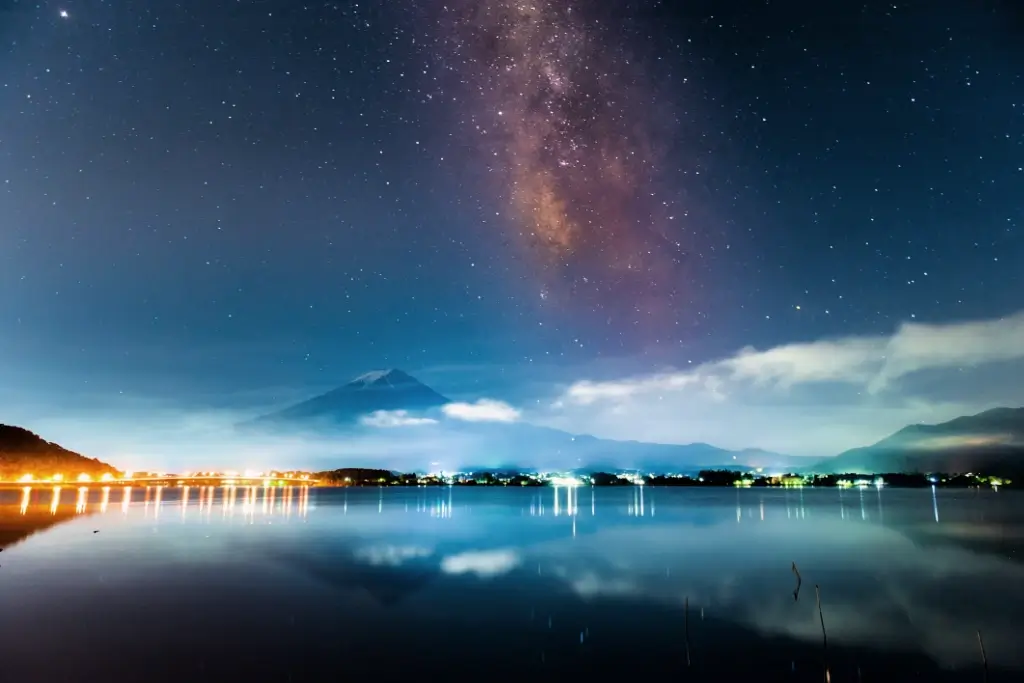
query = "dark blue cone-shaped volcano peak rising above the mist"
{"x": 378, "y": 391}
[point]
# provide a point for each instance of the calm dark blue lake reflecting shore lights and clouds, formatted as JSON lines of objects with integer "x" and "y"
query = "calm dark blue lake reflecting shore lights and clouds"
{"x": 482, "y": 585}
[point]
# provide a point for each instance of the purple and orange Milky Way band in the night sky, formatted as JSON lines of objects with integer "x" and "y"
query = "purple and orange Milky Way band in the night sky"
{"x": 570, "y": 125}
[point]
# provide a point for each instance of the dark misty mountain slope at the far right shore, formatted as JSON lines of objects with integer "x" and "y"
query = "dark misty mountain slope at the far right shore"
{"x": 991, "y": 443}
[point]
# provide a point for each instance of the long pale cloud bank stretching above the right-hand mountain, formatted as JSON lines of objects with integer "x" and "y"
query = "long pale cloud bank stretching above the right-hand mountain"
{"x": 816, "y": 398}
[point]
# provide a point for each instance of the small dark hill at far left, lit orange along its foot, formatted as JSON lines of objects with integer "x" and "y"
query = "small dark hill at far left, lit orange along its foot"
{"x": 25, "y": 453}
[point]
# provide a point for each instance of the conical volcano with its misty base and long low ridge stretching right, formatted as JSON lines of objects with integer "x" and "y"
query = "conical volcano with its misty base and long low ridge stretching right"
{"x": 450, "y": 444}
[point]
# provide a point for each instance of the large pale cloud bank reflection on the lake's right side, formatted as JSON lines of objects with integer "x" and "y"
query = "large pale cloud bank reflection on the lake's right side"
{"x": 878, "y": 588}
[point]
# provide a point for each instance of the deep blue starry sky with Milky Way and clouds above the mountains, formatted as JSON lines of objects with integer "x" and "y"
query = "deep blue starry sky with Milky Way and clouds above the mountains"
{"x": 227, "y": 206}
